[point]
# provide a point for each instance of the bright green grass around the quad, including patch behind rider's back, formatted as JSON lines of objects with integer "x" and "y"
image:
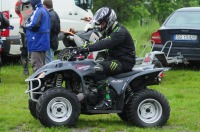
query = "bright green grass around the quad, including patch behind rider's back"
{"x": 181, "y": 86}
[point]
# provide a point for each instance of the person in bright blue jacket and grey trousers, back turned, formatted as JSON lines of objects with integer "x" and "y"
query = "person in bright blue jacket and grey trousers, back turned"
{"x": 38, "y": 34}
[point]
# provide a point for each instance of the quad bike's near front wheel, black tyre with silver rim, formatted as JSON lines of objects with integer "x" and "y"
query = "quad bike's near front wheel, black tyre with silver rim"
{"x": 58, "y": 107}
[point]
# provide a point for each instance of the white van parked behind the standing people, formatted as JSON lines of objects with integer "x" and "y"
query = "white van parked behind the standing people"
{"x": 71, "y": 13}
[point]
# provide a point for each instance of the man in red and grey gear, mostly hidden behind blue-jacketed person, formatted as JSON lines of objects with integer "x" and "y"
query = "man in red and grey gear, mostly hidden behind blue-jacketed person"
{"x": 23, "y": 9}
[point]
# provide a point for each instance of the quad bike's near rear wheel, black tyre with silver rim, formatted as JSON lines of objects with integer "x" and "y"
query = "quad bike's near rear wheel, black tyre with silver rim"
{"x": 148, "y": 108}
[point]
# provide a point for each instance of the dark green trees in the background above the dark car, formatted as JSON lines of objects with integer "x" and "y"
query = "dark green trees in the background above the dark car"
{"x": 144, "y": 9}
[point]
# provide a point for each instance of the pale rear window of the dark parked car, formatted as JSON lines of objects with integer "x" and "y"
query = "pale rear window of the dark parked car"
{"x": 186, "y": 19}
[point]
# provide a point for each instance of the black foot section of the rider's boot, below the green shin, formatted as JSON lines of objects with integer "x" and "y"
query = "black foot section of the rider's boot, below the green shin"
{"x": 103, "y": 105}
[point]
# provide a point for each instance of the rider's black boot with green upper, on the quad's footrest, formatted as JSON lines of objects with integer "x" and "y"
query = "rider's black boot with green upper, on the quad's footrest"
{"x": 106, "y": 103}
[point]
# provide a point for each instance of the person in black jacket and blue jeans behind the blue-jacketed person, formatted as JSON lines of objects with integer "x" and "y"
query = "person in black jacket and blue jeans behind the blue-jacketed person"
{"x": 55, "y": 29}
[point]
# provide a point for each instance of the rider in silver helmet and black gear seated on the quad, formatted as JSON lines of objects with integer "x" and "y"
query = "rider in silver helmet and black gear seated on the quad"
{"x": 119, "y": 43}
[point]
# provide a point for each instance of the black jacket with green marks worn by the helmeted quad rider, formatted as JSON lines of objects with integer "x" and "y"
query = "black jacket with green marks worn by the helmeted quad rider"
{"x": 119, "y": 43}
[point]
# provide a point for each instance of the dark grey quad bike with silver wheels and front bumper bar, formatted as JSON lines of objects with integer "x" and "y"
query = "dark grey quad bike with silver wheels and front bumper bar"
{"x": 62, "y": 90}
